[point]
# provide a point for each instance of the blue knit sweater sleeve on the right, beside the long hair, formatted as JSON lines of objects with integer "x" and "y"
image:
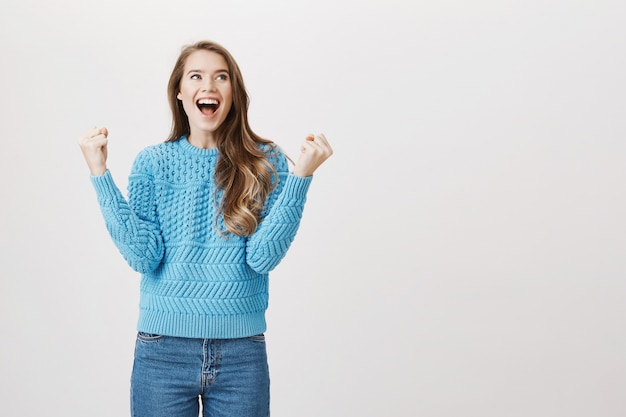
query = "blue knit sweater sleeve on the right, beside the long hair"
{"x": 268, "y": 245}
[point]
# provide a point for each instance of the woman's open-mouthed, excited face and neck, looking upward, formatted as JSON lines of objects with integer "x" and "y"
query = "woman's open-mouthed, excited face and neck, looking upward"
{"x": 206, "y": 93}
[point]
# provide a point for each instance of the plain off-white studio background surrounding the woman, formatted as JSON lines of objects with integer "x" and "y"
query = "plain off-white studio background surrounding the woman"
{"x": 461, "y": 254}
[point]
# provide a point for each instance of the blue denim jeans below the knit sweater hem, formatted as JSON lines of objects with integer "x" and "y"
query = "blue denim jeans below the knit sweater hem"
{"x": 177, "y": 377}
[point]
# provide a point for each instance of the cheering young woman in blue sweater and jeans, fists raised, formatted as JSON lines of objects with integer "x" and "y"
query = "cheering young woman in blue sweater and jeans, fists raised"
{"x": 209, "y": 213}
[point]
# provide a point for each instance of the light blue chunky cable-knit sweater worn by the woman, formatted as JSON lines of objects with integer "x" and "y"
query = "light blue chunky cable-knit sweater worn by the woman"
{"x": 195, "y": 282}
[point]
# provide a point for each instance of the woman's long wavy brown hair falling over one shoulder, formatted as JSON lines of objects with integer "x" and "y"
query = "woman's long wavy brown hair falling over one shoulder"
{"x": 243, "y": 173}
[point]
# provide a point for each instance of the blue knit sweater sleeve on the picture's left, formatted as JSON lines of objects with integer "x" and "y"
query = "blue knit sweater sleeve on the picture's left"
{"x": 133, "y": 224}
